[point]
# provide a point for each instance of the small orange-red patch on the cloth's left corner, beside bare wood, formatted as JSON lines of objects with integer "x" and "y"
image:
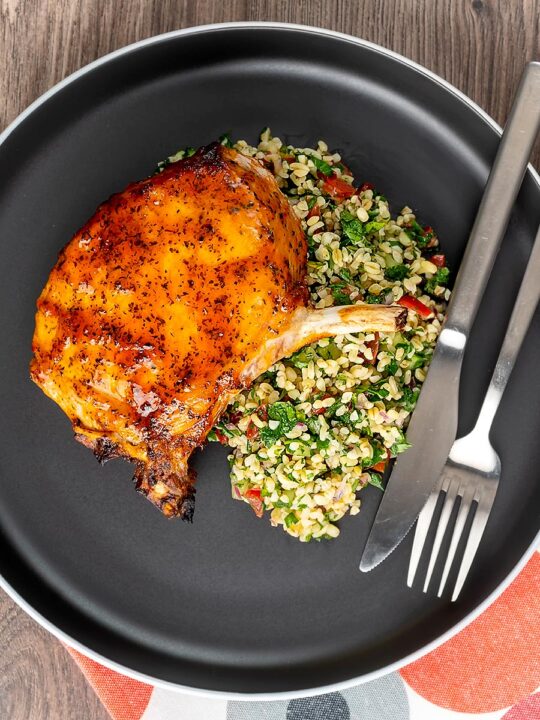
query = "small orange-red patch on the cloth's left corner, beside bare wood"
{"x": 124, "y": 698}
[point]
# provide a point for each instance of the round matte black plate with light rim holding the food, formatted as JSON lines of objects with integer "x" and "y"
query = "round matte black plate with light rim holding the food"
{"x": 230, "y": 604}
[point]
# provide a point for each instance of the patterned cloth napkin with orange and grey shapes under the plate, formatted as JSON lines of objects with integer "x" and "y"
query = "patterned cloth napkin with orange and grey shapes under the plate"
{"x": 489, "y": 671}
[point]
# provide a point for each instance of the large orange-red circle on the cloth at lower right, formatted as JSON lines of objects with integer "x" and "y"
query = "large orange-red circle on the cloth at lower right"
{"x": 492, "y": 663}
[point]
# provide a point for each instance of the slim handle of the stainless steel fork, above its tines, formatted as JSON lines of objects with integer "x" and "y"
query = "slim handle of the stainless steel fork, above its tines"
{"x": 522, "y": 314}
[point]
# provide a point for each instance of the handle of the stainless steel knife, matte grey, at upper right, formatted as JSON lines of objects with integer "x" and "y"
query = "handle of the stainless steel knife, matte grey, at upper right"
{"x": 494, "y": 212}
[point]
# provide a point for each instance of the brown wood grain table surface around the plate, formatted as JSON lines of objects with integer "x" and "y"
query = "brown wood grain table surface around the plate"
{"x": 478, "y": 45}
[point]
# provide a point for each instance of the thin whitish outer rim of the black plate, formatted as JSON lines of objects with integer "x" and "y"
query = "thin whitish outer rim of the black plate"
{"x": 455, "y": 629}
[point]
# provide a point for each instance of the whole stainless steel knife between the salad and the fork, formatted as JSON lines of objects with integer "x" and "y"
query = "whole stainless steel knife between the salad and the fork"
{"x": 433, "y": 426}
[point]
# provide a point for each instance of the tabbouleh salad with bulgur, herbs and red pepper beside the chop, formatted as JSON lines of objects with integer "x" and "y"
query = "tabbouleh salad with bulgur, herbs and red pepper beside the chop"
{"x": 319, "y": 426}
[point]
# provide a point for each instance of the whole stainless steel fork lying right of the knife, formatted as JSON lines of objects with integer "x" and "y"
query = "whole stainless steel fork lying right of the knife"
{"x": 473, "y": 468}
